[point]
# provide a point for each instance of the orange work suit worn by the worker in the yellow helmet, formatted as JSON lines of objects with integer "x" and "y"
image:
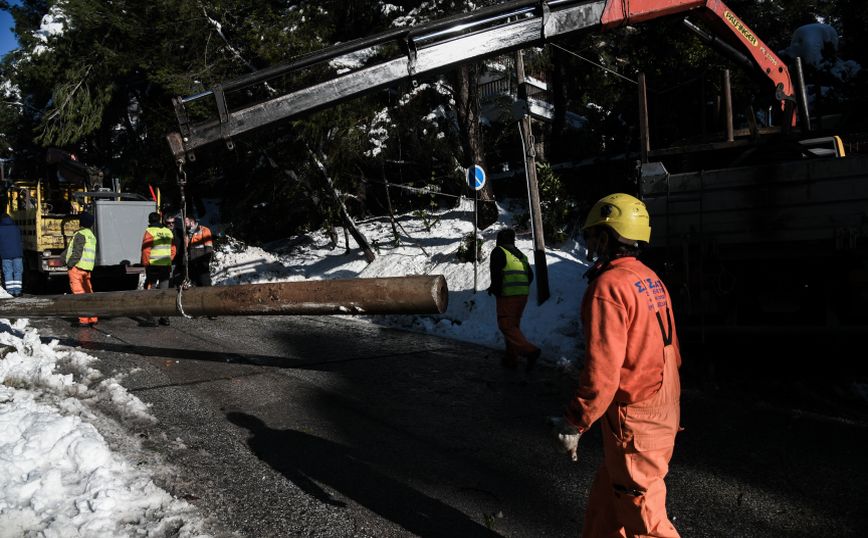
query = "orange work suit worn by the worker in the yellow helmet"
{"x": 631, "y": 381}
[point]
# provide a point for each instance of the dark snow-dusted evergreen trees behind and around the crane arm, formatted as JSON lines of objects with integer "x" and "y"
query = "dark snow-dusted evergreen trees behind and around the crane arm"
{"x": 101, "y": 86}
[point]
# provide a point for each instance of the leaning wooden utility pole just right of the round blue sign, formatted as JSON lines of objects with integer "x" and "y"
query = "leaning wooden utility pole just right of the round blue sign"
{"x": 526, "y": 132}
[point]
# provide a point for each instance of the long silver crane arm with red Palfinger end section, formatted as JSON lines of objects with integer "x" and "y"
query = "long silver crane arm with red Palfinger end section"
{"x": 439, "y": 45}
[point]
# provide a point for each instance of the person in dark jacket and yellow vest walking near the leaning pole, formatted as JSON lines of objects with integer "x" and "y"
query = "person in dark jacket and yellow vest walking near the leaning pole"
{"x": 511, "y": 276}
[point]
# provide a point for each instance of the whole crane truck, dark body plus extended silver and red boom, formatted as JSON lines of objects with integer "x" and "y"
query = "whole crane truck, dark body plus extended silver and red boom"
{"x": 706, "y": 223}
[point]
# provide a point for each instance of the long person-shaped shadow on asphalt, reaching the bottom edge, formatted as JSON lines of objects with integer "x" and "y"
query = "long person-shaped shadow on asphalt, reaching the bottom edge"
{"x": 305, "y": 459}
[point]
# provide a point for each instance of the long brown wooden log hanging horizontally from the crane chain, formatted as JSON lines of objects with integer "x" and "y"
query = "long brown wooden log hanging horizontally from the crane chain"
{"x": 390, "y": 295}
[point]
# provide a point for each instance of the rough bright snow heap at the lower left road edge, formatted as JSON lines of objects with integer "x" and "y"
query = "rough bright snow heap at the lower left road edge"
{"x": 60, "y": 475}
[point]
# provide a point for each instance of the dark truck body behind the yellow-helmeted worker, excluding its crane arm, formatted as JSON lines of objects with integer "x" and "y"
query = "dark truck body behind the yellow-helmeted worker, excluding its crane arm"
{"x": 768, "y": 246}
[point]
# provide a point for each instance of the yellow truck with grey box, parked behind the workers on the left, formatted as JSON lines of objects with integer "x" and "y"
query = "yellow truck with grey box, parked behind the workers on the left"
{"x": 46, "y": 211}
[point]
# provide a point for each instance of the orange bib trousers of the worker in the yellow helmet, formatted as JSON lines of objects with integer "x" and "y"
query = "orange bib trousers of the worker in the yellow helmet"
{"x": 628, "y": 497}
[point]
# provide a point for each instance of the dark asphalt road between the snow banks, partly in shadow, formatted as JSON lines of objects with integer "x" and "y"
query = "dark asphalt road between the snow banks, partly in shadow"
{"x": 316, "y": 426}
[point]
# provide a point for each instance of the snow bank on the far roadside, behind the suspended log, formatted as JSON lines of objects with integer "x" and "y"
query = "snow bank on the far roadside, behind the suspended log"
{"x": 429, "y": 250}
